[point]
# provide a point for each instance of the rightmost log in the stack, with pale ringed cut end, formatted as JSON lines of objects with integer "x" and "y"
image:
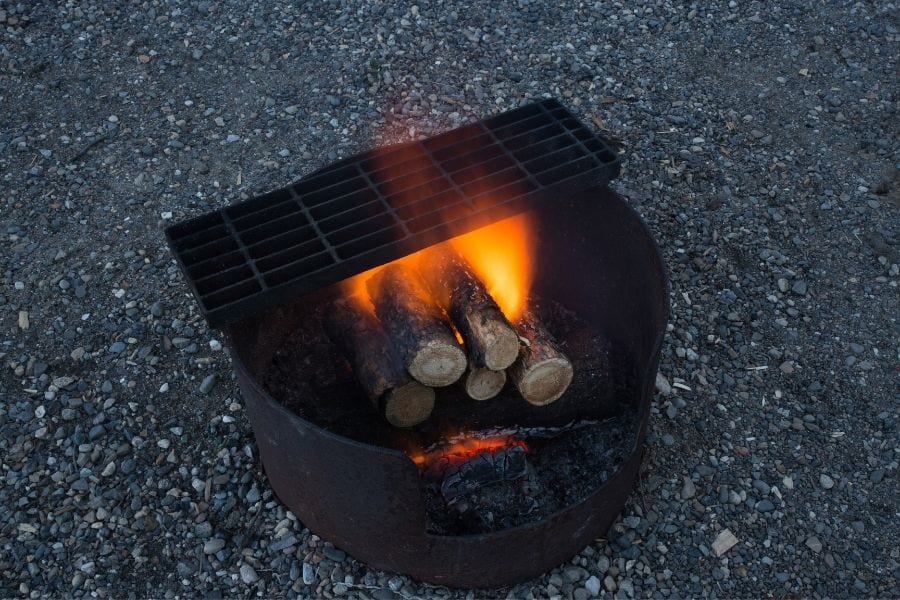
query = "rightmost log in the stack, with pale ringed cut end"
{"x": 542, "y": 373}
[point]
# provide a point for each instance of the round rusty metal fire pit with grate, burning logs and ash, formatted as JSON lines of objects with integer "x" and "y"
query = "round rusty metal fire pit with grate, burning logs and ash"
{"x": 448, "y": 348}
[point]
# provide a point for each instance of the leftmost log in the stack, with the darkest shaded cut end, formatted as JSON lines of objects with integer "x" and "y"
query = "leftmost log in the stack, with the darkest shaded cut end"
{"x": 402, "y": 401}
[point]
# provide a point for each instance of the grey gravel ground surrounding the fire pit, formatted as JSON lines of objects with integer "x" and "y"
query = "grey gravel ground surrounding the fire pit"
{"x": 762, "y": 149}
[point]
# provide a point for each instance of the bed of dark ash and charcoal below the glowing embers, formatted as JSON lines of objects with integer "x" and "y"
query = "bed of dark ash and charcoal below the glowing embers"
{"x": 556, "y": 472}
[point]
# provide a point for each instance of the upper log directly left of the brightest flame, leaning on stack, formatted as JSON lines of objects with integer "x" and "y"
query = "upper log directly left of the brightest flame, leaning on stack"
{"x": 490, "y": 340}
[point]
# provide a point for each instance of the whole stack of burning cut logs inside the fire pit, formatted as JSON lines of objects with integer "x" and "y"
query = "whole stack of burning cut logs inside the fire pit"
{"x": 408, "y": 346}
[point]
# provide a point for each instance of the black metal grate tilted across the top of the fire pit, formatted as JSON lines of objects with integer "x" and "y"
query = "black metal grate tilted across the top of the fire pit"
{"x": 384, "y": 204}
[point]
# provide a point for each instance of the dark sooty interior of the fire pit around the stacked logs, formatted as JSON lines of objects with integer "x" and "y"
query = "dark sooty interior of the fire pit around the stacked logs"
{"x": 602, "y": 319}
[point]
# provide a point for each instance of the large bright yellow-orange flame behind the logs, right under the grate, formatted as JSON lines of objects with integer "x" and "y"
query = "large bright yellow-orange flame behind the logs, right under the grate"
{"x": 503, "y": 256}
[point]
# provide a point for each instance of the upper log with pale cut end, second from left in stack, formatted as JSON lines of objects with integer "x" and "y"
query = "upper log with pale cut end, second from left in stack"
{"x": 416, "y": 326}
